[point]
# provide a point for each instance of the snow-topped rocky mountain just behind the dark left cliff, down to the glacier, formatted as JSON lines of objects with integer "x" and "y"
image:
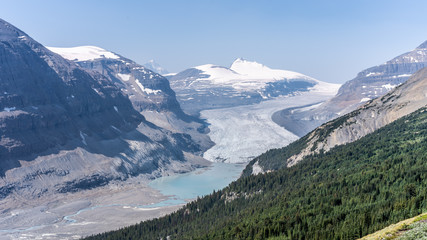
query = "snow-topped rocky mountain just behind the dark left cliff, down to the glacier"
{"x": 148, "y": 91}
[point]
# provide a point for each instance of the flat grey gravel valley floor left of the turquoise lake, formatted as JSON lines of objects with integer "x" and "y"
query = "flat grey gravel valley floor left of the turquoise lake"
{"x": 73, "y": 216}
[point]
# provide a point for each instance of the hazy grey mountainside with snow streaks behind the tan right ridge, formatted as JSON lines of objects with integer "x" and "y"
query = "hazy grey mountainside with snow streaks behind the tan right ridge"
{"x": 369, "y": 84}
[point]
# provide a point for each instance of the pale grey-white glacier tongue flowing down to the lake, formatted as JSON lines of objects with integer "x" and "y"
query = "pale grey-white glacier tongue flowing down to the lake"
{"x": 244, "y": 132}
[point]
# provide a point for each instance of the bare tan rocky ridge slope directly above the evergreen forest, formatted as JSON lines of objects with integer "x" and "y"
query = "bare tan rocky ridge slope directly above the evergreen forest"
{"x": 401, "y": 101}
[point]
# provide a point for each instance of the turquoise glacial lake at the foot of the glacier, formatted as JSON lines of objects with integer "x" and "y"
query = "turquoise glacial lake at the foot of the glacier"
{"x": 184, "y": 187}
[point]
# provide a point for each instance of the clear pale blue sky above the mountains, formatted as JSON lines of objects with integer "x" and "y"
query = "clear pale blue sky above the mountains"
{"x": 331, "y": 40}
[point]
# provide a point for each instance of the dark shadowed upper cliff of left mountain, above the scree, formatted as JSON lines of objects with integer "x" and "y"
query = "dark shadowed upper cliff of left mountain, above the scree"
{"x": 47, "y": 101}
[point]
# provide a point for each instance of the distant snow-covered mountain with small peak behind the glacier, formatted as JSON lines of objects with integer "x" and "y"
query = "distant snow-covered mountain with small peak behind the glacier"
{"x": 244, "y": 82}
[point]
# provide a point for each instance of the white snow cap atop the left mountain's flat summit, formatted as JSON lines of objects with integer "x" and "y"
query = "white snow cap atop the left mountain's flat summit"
{"x": 83, "y": 53}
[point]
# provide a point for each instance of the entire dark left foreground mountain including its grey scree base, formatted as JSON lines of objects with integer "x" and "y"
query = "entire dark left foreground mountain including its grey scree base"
{"x": 65, "y": 129}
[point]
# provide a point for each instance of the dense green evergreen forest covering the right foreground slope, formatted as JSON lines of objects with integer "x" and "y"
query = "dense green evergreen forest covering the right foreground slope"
{"x": 349, "y": 192}
